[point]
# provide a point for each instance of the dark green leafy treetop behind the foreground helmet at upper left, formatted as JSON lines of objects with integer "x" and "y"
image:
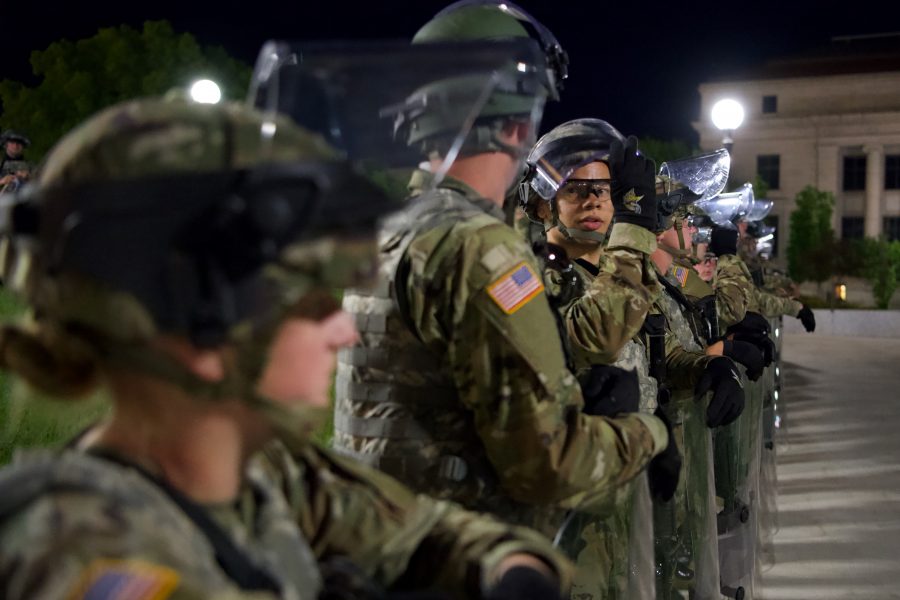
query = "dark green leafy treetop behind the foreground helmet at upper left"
{"x": 79, "y": 78}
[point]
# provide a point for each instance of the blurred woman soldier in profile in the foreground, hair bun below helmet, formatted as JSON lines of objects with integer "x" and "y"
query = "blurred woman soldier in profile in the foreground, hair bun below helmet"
{"x": 183, "y": 256}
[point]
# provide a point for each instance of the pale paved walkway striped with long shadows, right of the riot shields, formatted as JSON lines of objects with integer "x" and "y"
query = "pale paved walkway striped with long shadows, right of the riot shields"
{"x": 838, "y": 471}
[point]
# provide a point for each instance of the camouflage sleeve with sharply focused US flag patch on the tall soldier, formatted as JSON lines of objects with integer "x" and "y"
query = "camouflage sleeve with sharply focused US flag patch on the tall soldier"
{"x": 504, "y": 351}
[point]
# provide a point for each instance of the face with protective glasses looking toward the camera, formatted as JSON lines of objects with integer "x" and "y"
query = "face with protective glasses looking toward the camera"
{"x": 585, "y": 201}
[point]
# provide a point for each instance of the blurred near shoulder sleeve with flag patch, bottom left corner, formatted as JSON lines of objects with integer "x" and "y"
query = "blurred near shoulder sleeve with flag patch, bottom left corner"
{"x": 76, "y": 546}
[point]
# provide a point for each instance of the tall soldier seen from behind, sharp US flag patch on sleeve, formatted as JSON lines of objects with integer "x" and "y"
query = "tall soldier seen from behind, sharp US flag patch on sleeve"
{"x": 459, "y": 386}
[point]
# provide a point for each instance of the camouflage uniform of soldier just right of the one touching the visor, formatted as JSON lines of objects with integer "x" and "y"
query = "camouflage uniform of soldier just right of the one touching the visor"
{"x": 684, "y": 527}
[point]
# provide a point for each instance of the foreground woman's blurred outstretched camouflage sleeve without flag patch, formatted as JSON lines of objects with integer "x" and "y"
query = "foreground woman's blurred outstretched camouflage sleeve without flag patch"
{"x": 400, "y": 539}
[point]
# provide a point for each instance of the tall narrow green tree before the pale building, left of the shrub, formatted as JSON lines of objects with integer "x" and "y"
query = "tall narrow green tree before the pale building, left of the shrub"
{"x": 811, "y": 248}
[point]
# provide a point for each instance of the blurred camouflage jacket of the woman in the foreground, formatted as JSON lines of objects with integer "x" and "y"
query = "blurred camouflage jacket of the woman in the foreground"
{"x": 75, "y": 525}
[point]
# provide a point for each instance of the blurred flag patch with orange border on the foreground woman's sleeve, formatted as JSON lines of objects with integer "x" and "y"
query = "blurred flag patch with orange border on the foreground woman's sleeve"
{"x": 106, "y": 579}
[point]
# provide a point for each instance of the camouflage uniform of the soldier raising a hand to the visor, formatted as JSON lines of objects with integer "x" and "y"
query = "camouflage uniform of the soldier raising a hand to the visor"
{"x": 614, "y": 555}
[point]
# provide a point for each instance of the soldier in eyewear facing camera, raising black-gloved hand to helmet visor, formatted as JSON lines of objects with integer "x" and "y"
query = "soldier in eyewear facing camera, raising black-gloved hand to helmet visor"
{"x": 614, "y": 553}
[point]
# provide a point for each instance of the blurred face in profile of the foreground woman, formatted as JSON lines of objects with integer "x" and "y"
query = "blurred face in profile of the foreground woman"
{"x": 302, "y": 358}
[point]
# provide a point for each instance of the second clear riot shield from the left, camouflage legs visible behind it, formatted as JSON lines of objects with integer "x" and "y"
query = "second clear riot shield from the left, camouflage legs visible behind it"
{"x": 686, "y": 545}
